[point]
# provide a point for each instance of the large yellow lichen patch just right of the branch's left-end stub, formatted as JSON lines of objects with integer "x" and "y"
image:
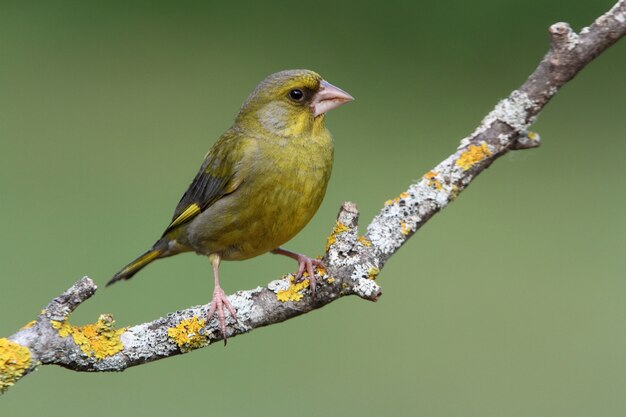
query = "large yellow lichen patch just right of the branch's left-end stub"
{"x": 98, "y": 340}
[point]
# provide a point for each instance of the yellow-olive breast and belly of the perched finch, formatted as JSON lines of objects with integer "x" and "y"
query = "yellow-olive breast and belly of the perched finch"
{"x": 284, "y": 187}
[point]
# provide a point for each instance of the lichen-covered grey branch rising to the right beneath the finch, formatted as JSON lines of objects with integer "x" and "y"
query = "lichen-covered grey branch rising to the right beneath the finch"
{"x": 352, "y": 261}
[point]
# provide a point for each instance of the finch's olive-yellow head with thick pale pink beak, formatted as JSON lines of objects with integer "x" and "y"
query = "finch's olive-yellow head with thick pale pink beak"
{"x": 291, "y": 103}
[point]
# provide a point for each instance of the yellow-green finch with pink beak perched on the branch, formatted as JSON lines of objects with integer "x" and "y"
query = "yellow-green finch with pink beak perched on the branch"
{"x": 259, "y": 184}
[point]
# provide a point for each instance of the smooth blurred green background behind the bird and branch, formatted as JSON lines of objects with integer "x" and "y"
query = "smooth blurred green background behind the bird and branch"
{"x": 511, "y": 302}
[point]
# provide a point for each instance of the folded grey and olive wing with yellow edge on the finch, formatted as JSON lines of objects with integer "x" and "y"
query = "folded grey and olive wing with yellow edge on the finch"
{"x": 221, "y": 173}
